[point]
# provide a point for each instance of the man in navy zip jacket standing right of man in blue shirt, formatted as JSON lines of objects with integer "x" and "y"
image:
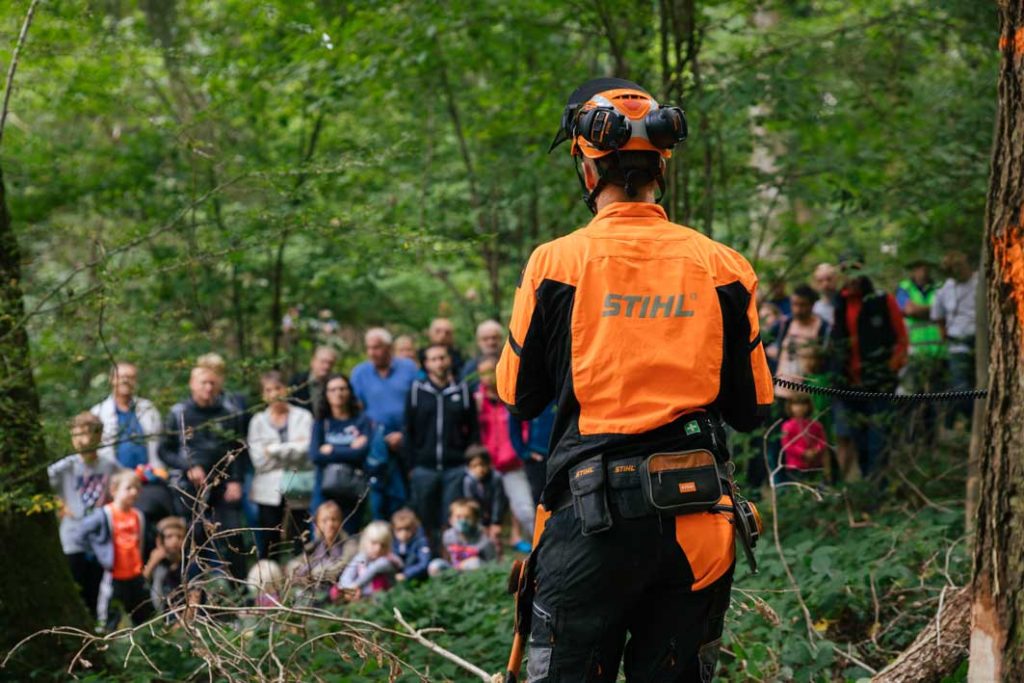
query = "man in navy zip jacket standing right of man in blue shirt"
{"x": 441, "y": 423}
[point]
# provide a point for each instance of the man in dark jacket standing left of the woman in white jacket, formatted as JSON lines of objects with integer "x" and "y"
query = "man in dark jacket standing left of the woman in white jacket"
{"x": 201, "y": 442}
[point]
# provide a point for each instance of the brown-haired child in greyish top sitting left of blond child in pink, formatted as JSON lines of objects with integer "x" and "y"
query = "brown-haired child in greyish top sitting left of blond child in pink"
{"x": 321, "y": 566}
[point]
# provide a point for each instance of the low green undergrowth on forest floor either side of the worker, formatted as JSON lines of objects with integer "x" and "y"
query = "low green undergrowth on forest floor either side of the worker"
{"x": 871, "y": 564}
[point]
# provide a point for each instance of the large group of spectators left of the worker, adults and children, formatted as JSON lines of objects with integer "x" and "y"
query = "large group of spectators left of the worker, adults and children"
{"x": 339, "y": 486}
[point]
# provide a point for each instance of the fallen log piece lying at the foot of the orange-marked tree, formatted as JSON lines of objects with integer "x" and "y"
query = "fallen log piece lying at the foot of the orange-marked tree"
{"x": 935, "y": 654}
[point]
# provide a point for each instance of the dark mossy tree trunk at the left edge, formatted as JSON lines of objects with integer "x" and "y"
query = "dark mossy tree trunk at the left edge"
{"x": 37, "y": 591}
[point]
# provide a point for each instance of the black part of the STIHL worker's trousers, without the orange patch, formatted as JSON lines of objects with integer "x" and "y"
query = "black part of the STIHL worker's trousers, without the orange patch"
{"x": 633, "y": 579}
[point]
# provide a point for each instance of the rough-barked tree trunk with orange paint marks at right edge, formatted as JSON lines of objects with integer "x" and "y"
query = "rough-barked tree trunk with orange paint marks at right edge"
{"x": 998, "y": 615}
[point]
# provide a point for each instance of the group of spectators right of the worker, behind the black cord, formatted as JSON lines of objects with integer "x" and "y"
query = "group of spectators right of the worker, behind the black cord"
{"x": 843, "y": 331}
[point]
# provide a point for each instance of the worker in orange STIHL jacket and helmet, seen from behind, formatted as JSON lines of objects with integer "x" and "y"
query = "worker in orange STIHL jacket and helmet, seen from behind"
{"x": 646, "y": 335}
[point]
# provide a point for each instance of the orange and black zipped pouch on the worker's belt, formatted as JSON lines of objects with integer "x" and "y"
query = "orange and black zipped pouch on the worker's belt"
{"x": 681, "y": 483}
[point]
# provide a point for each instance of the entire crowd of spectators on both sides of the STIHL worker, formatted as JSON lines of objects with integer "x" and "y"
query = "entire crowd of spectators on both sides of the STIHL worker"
{"x": 410, "y": 467}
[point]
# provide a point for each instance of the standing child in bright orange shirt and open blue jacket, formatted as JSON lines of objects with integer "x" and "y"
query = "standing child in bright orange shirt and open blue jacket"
{"x": 115, "y": 534}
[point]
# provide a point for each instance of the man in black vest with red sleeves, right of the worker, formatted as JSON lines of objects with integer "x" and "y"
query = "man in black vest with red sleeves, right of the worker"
{"x": 871, "y": 348}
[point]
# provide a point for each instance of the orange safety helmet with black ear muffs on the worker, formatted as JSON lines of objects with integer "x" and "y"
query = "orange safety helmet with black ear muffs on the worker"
{"x": 608, "y": 115}
